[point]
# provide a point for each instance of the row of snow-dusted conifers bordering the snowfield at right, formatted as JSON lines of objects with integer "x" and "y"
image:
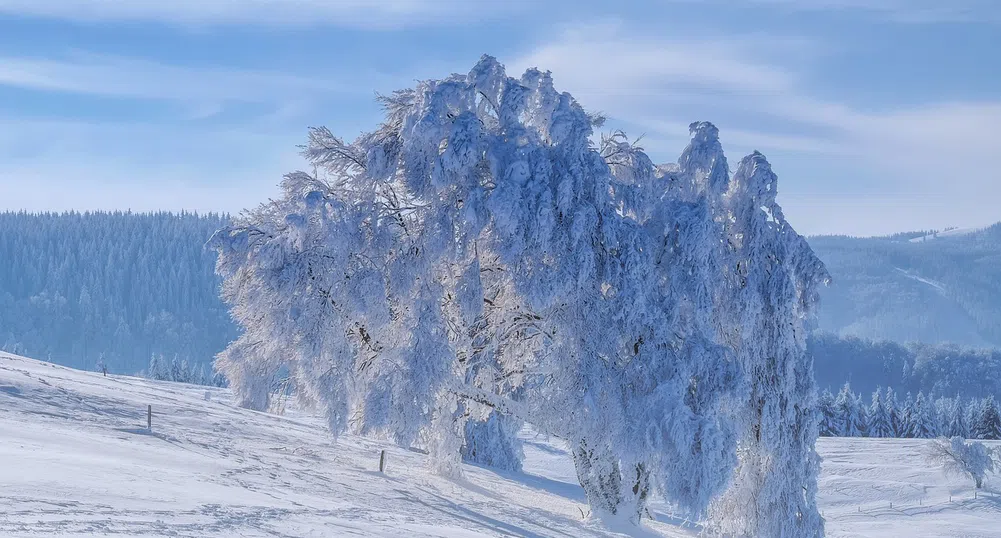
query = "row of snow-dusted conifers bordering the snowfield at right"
{"x": 886, "y": 414}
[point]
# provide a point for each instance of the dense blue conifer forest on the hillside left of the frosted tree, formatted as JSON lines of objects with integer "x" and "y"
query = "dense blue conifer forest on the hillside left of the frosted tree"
{"x": 117, "y": 288}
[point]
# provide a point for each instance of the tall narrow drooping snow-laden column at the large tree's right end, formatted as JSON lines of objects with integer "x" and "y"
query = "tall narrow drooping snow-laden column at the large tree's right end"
{"x": 776, "y": 277}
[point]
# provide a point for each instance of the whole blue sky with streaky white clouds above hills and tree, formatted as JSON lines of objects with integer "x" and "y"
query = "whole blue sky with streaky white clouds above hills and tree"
{"x": 878, "y": 116}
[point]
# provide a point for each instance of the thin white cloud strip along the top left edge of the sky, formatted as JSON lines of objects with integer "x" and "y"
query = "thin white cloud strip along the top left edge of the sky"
{"x": 361, "y": 14}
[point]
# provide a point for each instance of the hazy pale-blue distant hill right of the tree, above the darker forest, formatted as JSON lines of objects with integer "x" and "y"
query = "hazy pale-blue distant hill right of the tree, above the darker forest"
{"x": 919, "y": 287}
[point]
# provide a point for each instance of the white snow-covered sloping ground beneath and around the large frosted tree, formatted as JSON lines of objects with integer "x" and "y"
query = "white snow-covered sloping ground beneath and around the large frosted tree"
{"x": 77, "y": 460}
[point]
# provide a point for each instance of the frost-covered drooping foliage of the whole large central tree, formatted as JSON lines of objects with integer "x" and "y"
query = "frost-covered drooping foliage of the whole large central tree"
{"x": 478, "y": 263}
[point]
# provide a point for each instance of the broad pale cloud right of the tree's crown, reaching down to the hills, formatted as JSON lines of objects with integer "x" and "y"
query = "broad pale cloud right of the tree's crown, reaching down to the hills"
{"x": 852, "y": 159}
